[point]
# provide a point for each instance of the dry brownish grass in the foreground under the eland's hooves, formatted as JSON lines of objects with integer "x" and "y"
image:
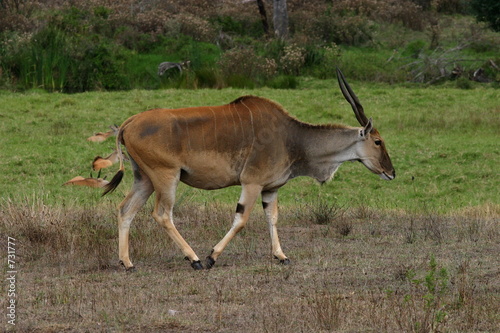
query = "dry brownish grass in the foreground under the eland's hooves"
{"x": 377, "y": 277}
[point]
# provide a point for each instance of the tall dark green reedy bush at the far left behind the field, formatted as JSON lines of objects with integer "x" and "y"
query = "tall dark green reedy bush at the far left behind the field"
{"x": 57, "y": 61}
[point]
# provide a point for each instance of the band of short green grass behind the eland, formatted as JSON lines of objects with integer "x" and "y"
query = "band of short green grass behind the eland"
{"x": 443, "y": 142}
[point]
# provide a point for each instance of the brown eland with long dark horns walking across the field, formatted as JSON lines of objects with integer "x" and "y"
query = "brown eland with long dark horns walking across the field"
{"x": 252, "y": 142}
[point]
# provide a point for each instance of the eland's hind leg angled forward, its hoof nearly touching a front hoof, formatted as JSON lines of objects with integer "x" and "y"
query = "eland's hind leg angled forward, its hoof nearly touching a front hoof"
{"x": 165, "y": 198}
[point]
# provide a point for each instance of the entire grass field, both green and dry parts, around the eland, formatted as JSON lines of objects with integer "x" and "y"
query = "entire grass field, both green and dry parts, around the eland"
{"x": 417, "y": 254}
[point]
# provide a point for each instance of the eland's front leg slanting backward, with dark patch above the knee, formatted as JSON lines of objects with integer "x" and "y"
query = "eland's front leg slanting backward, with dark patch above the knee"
{"x": 249, "y": 194}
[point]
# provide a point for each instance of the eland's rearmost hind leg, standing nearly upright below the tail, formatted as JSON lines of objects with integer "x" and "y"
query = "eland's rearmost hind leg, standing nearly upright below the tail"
{"x": 137, "y": 197}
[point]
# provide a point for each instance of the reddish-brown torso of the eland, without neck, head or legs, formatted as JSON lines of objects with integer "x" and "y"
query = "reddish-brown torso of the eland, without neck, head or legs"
{"x": 214, "y": 147}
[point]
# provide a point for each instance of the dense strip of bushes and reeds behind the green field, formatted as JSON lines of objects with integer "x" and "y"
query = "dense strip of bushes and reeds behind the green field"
{"x": 116, "y": 45}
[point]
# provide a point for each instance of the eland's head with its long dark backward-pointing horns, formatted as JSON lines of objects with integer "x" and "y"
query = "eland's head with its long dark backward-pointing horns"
{"x": 371, "y": 147}
